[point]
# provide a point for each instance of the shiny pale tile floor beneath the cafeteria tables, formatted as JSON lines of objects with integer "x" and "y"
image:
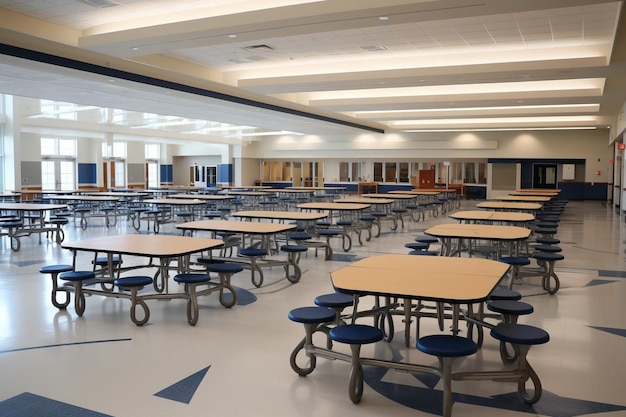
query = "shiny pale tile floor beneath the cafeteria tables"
{"x": 104, "y": 364}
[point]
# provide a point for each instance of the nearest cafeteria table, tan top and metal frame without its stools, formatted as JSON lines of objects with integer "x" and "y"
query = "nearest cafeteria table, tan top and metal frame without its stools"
{"x": 455, "y": 281}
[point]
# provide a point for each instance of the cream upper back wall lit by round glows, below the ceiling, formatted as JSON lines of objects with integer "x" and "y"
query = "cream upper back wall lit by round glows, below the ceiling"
{"x": 591, "y": 145}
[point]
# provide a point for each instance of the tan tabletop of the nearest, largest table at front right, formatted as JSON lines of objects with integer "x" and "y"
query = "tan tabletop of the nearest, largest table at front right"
{"x": 435, "y": 278}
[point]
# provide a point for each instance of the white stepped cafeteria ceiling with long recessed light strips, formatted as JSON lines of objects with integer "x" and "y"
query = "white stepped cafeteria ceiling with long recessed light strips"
{"x": 340, "y": 66}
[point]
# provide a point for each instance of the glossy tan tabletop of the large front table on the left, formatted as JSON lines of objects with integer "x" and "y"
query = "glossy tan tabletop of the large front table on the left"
{"x": 160, "y": 246}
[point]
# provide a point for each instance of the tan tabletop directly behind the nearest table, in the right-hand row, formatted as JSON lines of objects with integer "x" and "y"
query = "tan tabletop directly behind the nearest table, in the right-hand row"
{"x": 478, "y": 231}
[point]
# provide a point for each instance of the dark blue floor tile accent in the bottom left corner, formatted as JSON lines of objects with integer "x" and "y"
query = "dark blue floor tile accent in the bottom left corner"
{"x": 31, "y": 405}
